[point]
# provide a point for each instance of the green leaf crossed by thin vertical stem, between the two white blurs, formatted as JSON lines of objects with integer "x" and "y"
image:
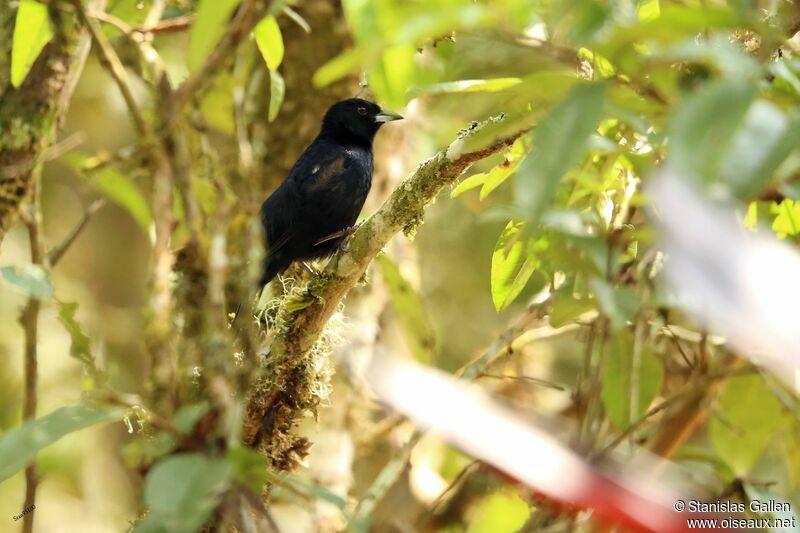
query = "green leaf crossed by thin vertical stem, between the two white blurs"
{"x": 617, "y": 387}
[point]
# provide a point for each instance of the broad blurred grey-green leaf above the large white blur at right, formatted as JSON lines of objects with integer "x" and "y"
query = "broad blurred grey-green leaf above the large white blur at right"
{"x": 702, "y": 129}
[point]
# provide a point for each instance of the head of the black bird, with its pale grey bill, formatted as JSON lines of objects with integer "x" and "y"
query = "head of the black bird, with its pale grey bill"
{"x": 356, "y": 118}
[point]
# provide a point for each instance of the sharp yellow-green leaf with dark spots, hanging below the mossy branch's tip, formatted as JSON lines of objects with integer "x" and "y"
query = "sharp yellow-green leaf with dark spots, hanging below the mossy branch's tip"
{"x": 514, "y": 260}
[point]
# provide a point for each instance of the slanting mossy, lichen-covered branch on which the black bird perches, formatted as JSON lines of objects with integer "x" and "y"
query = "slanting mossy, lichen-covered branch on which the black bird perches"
{"x": 275, "y": 408}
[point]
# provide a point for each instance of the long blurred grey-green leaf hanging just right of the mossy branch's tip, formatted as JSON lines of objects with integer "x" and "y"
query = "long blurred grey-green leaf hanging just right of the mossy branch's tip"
{"x": 560, "y": 141}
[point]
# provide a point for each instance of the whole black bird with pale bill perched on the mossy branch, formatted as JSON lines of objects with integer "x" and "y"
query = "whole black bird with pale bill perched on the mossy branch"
{"x": 308, "y": 215}
